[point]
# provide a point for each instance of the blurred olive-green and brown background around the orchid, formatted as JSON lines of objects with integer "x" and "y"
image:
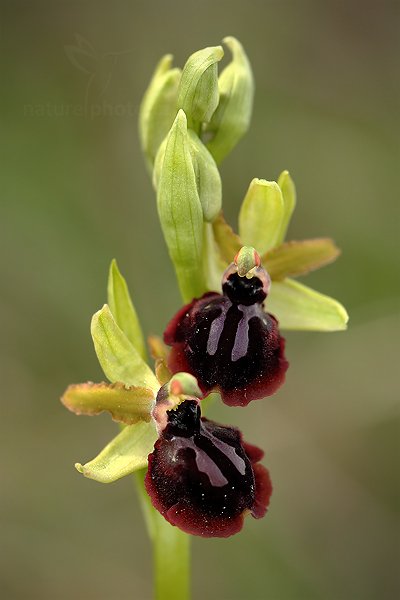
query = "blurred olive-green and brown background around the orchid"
{"x": 75, "y": 193}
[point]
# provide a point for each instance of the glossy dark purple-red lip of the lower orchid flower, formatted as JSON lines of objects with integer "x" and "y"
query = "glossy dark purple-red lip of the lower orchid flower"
{"x": 203, "y": 478}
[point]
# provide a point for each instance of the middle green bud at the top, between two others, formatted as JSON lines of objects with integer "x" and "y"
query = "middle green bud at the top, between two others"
{"x": 198, "y": 88}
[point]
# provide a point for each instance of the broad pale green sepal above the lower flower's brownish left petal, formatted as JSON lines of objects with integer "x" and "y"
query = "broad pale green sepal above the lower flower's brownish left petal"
{"x": 117, "y": 356}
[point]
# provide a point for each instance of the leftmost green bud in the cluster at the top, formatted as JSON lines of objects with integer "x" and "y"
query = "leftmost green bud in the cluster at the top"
{"x": 158, "y": 108}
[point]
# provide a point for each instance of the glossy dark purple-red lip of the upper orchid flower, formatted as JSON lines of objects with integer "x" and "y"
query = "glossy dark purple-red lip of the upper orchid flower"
{"x": 228, "y": 342}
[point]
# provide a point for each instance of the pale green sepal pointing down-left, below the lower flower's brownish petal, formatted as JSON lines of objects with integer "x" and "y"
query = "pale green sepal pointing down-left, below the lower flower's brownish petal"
{"x": 126, "y": 453}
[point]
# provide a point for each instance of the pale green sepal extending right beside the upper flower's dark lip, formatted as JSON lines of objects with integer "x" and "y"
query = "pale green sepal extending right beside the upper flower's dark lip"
{"x": 297, "y": 306}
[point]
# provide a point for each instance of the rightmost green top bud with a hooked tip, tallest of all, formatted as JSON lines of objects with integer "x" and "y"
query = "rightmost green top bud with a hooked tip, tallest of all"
{"x": 232, "y": 117}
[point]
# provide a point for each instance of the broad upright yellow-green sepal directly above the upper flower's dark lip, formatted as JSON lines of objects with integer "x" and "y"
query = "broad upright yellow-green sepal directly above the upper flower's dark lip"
{"x": 261, "y": 215}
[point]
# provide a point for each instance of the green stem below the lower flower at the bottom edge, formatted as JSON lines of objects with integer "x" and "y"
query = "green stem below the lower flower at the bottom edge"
{"x": 171, "y": 550}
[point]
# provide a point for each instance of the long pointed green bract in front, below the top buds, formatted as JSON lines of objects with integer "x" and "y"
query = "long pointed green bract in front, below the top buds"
{"x": 180, "y": 210}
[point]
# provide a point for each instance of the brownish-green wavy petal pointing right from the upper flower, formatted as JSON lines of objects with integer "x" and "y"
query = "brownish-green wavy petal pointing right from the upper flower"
{"x": 296, "y": 258}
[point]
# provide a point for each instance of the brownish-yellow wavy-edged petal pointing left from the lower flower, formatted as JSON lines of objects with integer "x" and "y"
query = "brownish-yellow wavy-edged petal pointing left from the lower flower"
{"x": 127, "y": 405}
